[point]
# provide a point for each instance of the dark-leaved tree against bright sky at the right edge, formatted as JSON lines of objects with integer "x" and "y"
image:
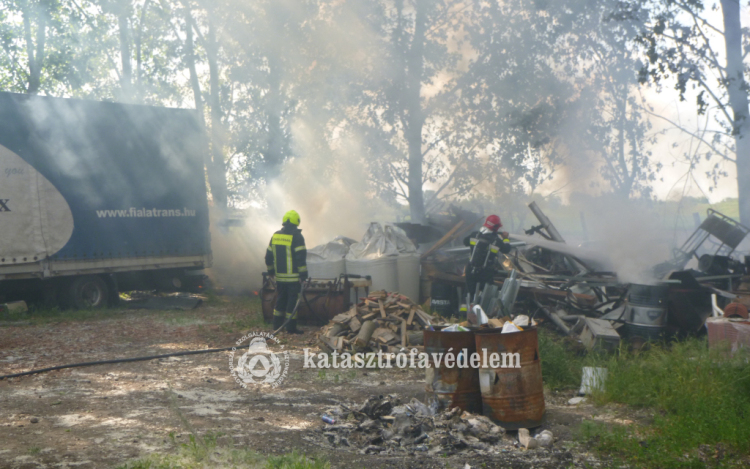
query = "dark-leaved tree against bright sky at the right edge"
{"x": 677, "y": 41}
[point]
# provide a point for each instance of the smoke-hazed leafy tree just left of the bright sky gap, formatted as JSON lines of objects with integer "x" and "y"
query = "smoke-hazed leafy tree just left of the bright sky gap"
{"x": 618, "y": 129}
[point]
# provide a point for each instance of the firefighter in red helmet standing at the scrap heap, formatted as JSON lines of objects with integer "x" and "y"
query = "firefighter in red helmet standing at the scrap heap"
{"x": 485, "y": 244}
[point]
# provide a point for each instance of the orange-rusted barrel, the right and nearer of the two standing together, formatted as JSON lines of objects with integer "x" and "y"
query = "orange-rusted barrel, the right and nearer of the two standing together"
{"x": 511, "y": 396}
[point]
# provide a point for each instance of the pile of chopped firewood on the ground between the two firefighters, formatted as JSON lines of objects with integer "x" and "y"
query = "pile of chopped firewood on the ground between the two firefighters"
{"x": 382, "y": 321}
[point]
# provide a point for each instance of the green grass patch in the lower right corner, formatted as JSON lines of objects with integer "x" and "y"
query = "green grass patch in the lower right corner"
{"x": 701, "y": 402}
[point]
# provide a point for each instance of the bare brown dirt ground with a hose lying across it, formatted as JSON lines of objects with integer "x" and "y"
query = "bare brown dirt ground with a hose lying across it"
{"x": 105, "y": 415}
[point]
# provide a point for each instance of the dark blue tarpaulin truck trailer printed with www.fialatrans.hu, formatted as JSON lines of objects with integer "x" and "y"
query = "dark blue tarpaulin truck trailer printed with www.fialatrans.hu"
{"x": 98, "y": 198}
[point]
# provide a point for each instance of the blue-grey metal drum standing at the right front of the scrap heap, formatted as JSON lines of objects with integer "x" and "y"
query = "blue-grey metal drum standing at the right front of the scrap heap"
{"x": 646, "y": 317}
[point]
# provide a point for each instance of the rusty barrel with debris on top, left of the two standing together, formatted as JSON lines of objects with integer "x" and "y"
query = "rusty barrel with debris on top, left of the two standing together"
{"x": 453, "y": 386}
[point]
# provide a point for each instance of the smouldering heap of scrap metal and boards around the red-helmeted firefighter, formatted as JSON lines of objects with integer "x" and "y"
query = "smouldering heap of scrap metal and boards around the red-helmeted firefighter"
{"x": 548, "y": 281}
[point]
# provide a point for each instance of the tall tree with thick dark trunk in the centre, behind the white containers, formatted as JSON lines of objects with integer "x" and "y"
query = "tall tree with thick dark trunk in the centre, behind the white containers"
{"x": 405, "y": 107}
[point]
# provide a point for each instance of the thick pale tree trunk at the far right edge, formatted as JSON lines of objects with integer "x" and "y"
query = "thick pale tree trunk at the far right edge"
{"x": 738, "y": 100}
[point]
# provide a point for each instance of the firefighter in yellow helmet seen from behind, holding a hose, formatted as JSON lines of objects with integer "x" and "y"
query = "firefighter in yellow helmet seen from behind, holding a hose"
{"x": 286, "y": 259}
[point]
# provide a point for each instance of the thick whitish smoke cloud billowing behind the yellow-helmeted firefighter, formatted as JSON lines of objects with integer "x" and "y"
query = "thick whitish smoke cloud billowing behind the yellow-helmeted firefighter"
{"x": 326, "y": 187}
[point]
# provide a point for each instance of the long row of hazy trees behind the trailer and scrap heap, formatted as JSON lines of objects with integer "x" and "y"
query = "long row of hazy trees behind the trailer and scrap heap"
{"x": 454, "y": 96}
